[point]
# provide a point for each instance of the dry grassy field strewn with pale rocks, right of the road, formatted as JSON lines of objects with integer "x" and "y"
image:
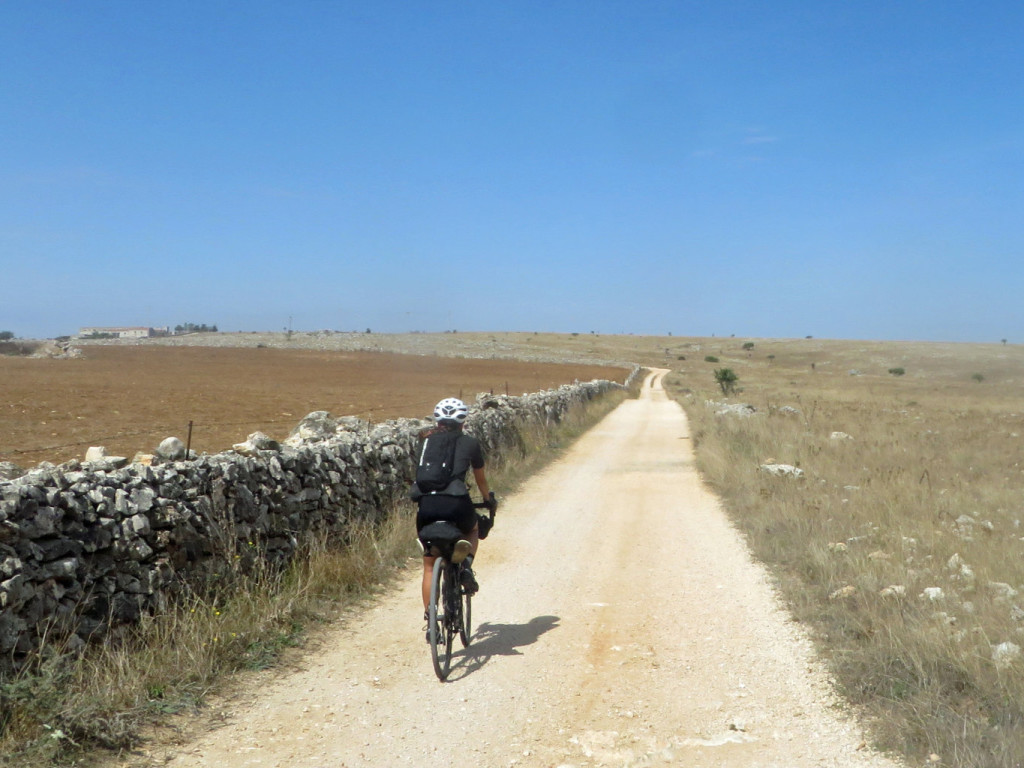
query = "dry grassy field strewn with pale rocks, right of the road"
{"x": 902, "y": 544}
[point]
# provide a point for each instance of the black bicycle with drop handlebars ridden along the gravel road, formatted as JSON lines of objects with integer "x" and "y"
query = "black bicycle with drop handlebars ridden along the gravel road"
{"x": 451, "y": 609}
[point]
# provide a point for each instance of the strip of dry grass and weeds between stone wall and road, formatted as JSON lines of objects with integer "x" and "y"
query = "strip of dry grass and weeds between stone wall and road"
{"x": 84, "y": 711}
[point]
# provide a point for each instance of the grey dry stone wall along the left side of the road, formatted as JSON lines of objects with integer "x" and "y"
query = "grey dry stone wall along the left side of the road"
{"x": 88, "y": 549}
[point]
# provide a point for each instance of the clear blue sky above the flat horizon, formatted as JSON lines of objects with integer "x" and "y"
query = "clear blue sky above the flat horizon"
{"x": 766, "y": 169}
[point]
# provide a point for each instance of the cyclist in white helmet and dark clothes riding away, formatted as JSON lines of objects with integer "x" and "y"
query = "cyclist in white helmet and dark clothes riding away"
{"x": 454, "y": 504}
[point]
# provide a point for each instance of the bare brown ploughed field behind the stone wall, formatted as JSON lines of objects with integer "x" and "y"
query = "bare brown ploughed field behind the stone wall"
{"x": 130, "y": 399}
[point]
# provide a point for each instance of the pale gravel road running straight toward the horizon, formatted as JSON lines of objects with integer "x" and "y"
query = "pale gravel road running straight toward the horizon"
{"x": 621, "y": 623}
